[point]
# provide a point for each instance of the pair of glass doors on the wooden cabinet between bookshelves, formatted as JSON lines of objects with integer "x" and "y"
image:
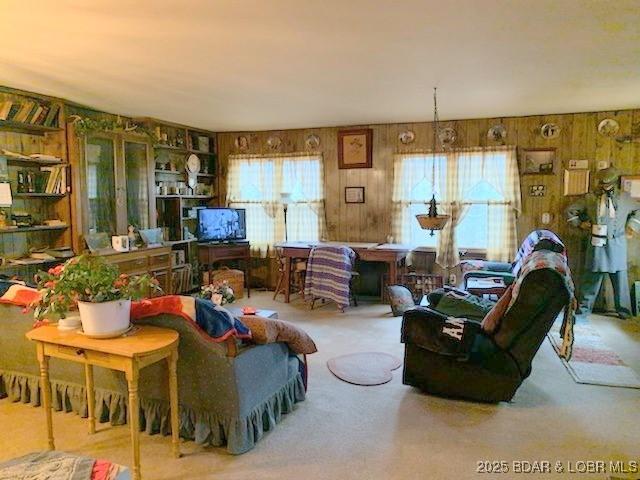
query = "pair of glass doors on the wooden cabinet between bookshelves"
{"x": 115, "y": 183}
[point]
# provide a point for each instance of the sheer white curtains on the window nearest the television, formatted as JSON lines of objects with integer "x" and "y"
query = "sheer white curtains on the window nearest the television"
{"x": 256, "y": 184}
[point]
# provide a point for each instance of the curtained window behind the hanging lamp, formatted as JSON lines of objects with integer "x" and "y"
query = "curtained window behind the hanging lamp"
{"x": 478, "y": 188}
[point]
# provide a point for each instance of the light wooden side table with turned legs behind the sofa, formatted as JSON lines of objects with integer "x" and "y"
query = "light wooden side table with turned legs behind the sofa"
{"x": 128, "y": 354}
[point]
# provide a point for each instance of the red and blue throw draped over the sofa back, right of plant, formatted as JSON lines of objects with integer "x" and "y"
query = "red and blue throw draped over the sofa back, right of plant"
{"x": 215, "y": 321}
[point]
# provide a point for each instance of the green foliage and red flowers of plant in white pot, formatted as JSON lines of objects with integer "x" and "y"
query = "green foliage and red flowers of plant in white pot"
{"x": 88, "y": 278}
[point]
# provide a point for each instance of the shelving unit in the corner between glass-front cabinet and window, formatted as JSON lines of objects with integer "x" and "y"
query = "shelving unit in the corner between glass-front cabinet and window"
{"x": 174, "y": 200}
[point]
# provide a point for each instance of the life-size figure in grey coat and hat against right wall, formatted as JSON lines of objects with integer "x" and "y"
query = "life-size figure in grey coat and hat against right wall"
{"x": 606, "y": 251}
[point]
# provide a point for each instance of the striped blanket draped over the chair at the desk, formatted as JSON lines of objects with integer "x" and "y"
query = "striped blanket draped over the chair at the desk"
{"x": 329, "y": 274}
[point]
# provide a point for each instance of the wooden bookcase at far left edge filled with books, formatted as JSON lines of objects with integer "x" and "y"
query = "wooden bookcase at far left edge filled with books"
{"x": 34, "y": 134}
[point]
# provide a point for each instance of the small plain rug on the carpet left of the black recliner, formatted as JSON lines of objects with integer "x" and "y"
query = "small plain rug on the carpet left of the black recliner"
{"x": 365, "y": 368}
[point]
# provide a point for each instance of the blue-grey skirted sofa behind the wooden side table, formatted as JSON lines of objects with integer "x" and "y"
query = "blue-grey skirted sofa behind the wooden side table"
{"x": 230, "y": 401}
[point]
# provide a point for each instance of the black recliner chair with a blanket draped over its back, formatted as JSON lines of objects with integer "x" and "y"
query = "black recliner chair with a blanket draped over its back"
{"x": 487, "y": 360}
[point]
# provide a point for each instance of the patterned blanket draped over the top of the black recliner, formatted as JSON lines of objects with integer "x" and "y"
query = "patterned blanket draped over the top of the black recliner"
{"x": 558, "y": 262}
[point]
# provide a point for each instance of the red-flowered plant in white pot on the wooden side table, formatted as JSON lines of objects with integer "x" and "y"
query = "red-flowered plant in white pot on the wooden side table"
{"x": 102, "y": 294}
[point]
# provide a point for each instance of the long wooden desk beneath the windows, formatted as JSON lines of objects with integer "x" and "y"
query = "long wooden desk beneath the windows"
{"x": 389, "y": 253}
